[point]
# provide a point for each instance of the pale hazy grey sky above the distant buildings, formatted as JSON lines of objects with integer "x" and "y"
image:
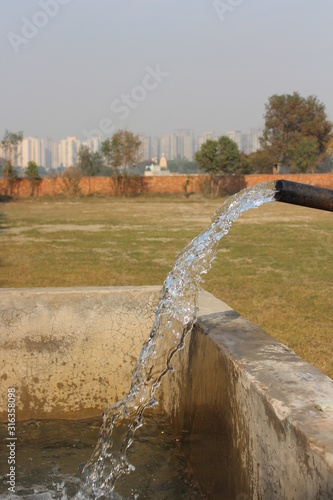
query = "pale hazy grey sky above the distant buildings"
{"x": 154, "y": 66}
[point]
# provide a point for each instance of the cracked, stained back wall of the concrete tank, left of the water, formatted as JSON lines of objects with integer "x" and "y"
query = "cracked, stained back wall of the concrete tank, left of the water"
{"x": 70, "y": 352}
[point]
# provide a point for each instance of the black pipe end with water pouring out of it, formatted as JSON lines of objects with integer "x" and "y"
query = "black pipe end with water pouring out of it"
{"x": 304, "y": 195}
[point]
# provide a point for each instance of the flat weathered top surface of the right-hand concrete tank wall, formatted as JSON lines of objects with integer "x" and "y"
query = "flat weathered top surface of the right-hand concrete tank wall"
{"x": 296, "y": 390}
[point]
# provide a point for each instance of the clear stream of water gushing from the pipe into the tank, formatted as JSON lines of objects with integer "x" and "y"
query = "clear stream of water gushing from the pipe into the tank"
{"x": 174, "y": 318}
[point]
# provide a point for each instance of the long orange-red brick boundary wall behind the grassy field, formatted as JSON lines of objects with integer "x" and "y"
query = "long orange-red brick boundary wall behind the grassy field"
{"x": 157, "y": 185}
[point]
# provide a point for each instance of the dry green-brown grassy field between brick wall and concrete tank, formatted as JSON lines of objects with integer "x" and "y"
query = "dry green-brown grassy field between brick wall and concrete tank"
{"x": 275, "y": 266}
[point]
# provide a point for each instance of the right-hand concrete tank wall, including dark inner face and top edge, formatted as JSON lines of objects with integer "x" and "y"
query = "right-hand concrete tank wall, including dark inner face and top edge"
{"x": 265, "y": 399}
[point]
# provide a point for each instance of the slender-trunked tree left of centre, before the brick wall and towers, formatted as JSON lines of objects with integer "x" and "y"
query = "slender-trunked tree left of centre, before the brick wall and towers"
{"x": 121, "y": 152}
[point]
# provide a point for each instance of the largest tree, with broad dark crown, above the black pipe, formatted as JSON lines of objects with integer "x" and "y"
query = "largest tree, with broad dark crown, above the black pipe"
{"x": 297, "y": 130}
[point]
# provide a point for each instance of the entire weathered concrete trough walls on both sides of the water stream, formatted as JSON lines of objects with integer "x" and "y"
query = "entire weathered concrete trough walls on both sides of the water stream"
{"x": 256, "y": 420}
